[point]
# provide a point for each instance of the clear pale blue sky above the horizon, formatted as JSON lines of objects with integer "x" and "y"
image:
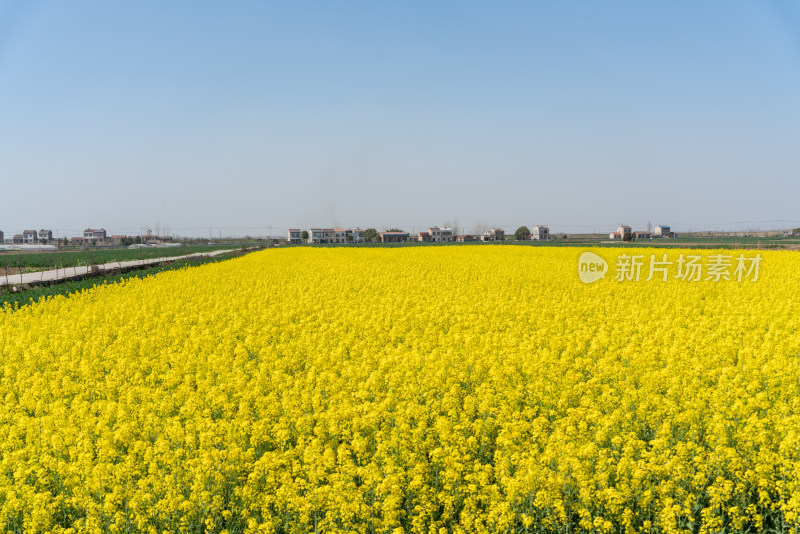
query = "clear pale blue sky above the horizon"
{"x": 243, "y": 116}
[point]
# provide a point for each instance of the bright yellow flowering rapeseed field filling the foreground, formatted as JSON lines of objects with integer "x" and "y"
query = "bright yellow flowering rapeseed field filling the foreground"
{"x": 470, "y": 389}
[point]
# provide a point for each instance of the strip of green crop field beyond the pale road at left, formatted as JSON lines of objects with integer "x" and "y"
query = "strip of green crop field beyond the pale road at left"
{"x": 39, "y": 261}
